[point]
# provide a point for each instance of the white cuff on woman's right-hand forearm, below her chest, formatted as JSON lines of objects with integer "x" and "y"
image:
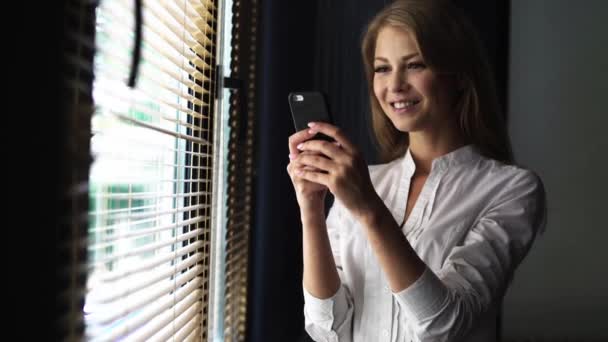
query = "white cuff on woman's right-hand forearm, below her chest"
{"x": 424, "y": 298}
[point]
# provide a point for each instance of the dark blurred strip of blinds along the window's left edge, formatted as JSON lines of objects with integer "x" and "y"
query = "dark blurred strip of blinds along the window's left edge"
{"x": 73, "y": 160}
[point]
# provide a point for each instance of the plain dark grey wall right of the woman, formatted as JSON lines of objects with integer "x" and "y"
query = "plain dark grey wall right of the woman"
{"x": 558, "y": 88}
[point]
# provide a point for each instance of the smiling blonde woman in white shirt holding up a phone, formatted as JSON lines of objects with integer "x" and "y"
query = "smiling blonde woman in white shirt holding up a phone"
{"x": 422, "y": 247}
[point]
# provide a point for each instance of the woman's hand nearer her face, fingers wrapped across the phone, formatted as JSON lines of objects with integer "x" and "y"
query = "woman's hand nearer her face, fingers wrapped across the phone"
{"x": 339, "y": 167}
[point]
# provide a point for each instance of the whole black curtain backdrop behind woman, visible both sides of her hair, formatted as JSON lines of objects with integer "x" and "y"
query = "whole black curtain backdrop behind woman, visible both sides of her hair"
{"x": 315, "y": 45}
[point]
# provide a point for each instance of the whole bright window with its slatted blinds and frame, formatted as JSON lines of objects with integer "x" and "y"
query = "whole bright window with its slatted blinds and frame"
{"x": 169, "y": 185}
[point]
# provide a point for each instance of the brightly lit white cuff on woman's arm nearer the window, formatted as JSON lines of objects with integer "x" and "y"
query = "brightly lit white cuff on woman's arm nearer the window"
{"x": 324, "y": 311}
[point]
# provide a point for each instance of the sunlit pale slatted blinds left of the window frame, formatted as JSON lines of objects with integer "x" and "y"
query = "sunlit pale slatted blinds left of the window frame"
{"x": 150, "y": 183}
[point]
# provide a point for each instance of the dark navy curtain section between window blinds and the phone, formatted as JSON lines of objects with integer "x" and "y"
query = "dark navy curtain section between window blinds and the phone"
{"x": 285, "y": 64}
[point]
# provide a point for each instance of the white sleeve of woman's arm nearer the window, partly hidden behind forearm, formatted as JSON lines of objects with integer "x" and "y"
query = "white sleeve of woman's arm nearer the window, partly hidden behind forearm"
{"x": 330, "y": 319}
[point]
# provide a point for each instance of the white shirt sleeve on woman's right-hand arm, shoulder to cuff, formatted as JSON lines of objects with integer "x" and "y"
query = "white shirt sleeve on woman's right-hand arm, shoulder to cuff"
{"x": 473, "y": 279}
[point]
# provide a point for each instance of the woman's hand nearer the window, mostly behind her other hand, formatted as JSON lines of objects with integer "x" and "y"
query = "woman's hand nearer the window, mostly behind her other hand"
{"x": 310, "y": 195}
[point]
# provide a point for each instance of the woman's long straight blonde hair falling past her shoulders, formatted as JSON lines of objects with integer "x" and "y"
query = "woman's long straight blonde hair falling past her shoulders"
{"x": 448, "y": 44}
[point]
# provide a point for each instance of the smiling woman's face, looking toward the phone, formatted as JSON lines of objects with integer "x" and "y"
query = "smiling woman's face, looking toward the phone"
{"x": 414, "y": 97}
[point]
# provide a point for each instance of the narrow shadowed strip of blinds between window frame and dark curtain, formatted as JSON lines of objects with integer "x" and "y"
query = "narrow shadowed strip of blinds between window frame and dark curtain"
{"x": 240, "y": 163}
